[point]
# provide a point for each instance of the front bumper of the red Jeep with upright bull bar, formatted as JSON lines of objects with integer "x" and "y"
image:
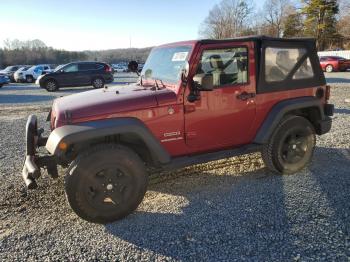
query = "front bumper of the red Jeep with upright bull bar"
{"x": 33, "y": 162}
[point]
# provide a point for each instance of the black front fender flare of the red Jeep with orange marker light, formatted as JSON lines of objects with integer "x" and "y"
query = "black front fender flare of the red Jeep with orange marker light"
{"x": 130, "y": 132}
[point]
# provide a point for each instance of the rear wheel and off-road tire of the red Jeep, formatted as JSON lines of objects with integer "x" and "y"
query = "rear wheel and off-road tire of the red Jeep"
{"x": 281, "y": 141}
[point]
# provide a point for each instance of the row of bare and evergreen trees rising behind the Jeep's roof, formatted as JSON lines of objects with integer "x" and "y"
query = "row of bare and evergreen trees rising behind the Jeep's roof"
{"x": 326, "y": 20}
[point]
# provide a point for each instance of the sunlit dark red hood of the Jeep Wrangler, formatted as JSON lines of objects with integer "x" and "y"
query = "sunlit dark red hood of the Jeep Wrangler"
{"x": 106, "y": 102}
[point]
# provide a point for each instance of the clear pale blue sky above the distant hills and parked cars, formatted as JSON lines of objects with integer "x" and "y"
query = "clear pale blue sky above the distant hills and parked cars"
{"x": 103, "y": 24}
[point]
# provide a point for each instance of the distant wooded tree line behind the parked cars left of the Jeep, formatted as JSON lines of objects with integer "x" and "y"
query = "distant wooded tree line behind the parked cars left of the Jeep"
{"x": 32, "y": 52}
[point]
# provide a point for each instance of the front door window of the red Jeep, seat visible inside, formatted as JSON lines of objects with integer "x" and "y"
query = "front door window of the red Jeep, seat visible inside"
{"x": 227, "y": 66}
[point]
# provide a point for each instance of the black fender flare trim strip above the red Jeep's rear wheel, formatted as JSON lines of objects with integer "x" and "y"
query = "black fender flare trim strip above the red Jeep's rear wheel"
{"x": 282, "y": 108}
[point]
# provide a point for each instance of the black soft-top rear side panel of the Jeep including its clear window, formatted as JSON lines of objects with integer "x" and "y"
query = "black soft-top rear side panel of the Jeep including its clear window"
{"x": 289, "y": 65}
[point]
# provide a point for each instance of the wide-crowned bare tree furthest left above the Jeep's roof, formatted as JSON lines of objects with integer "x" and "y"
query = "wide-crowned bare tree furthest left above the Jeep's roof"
{"x": 227, "y": 19}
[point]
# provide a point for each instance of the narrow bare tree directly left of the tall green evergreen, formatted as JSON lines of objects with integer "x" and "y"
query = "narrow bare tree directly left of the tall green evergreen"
{"x": 276, "y": 12}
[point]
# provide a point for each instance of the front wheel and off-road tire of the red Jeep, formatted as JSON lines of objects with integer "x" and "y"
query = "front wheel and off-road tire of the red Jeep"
{"x": 83, "y": 193}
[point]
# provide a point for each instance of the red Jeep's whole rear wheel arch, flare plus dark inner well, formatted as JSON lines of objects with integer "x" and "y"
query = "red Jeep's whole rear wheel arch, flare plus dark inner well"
{"x": 308, "y": 107}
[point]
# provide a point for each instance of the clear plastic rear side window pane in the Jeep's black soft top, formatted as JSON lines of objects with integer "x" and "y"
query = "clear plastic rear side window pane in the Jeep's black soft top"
{"x": 279, "y": 62}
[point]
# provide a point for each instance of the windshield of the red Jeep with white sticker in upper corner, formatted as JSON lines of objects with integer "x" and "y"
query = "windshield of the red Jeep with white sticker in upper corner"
{"x": 166, "y": 63}
